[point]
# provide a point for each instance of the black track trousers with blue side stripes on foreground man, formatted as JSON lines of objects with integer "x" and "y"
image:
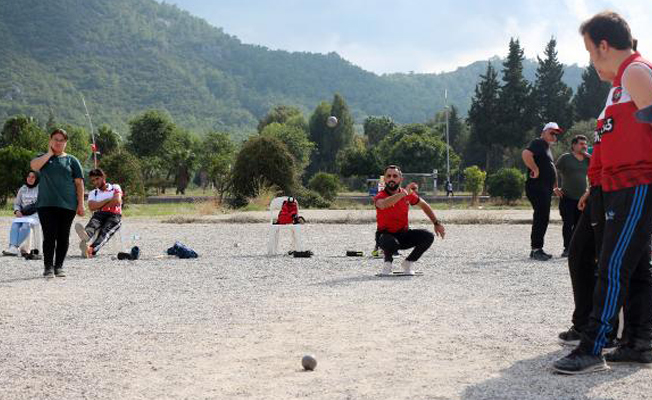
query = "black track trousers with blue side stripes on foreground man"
{"x": 624, "y": 270}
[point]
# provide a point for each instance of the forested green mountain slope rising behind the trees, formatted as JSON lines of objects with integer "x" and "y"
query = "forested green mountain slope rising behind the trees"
{"x": 127, "y": 56}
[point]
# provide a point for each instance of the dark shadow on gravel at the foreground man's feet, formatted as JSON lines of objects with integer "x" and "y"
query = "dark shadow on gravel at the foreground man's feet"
{"x": 534, "y": 379}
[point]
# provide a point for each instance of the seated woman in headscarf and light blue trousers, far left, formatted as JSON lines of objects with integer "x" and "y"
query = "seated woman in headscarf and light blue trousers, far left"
{"x": 25, "y": 212}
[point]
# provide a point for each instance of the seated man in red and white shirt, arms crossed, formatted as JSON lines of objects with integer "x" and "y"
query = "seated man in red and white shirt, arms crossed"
{"x": 106, "y": 203}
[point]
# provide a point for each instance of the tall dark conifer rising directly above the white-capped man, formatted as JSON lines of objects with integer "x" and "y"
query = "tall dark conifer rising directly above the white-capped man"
{"x": 551, "y": 96}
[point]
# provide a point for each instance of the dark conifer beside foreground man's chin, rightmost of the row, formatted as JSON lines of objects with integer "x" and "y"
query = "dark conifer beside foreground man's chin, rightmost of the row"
{"x": 591, "y": 95}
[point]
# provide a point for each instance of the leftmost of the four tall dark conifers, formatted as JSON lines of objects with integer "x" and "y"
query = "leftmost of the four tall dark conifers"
{"x": 483, "y": 119}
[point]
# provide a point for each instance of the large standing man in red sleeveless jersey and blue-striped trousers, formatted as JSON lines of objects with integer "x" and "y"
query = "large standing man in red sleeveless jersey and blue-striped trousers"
{"x": 624, "y": 269}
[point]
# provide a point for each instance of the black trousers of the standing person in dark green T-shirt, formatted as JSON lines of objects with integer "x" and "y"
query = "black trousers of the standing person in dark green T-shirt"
{"x": 55, "y": 223}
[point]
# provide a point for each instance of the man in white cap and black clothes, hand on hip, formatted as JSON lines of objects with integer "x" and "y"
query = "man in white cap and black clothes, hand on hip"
{"x": 539, "y": 185}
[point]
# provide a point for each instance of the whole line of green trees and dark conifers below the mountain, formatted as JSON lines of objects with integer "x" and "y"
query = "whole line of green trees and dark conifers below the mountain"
{"x": 309, "y": 159}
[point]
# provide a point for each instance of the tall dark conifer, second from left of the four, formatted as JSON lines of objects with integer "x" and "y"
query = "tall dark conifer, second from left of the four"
{"x": 515, "y": 101}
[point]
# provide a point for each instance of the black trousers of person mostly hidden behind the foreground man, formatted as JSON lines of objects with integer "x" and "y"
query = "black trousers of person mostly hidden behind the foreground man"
{"x": 584, "y": 250}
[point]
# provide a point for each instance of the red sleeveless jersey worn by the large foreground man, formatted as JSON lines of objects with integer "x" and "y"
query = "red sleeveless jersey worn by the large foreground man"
{"x": 626, "y": 152}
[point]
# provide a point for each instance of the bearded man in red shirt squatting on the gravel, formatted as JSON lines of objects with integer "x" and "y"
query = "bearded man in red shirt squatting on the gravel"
{"x": 392, "y": 206}
